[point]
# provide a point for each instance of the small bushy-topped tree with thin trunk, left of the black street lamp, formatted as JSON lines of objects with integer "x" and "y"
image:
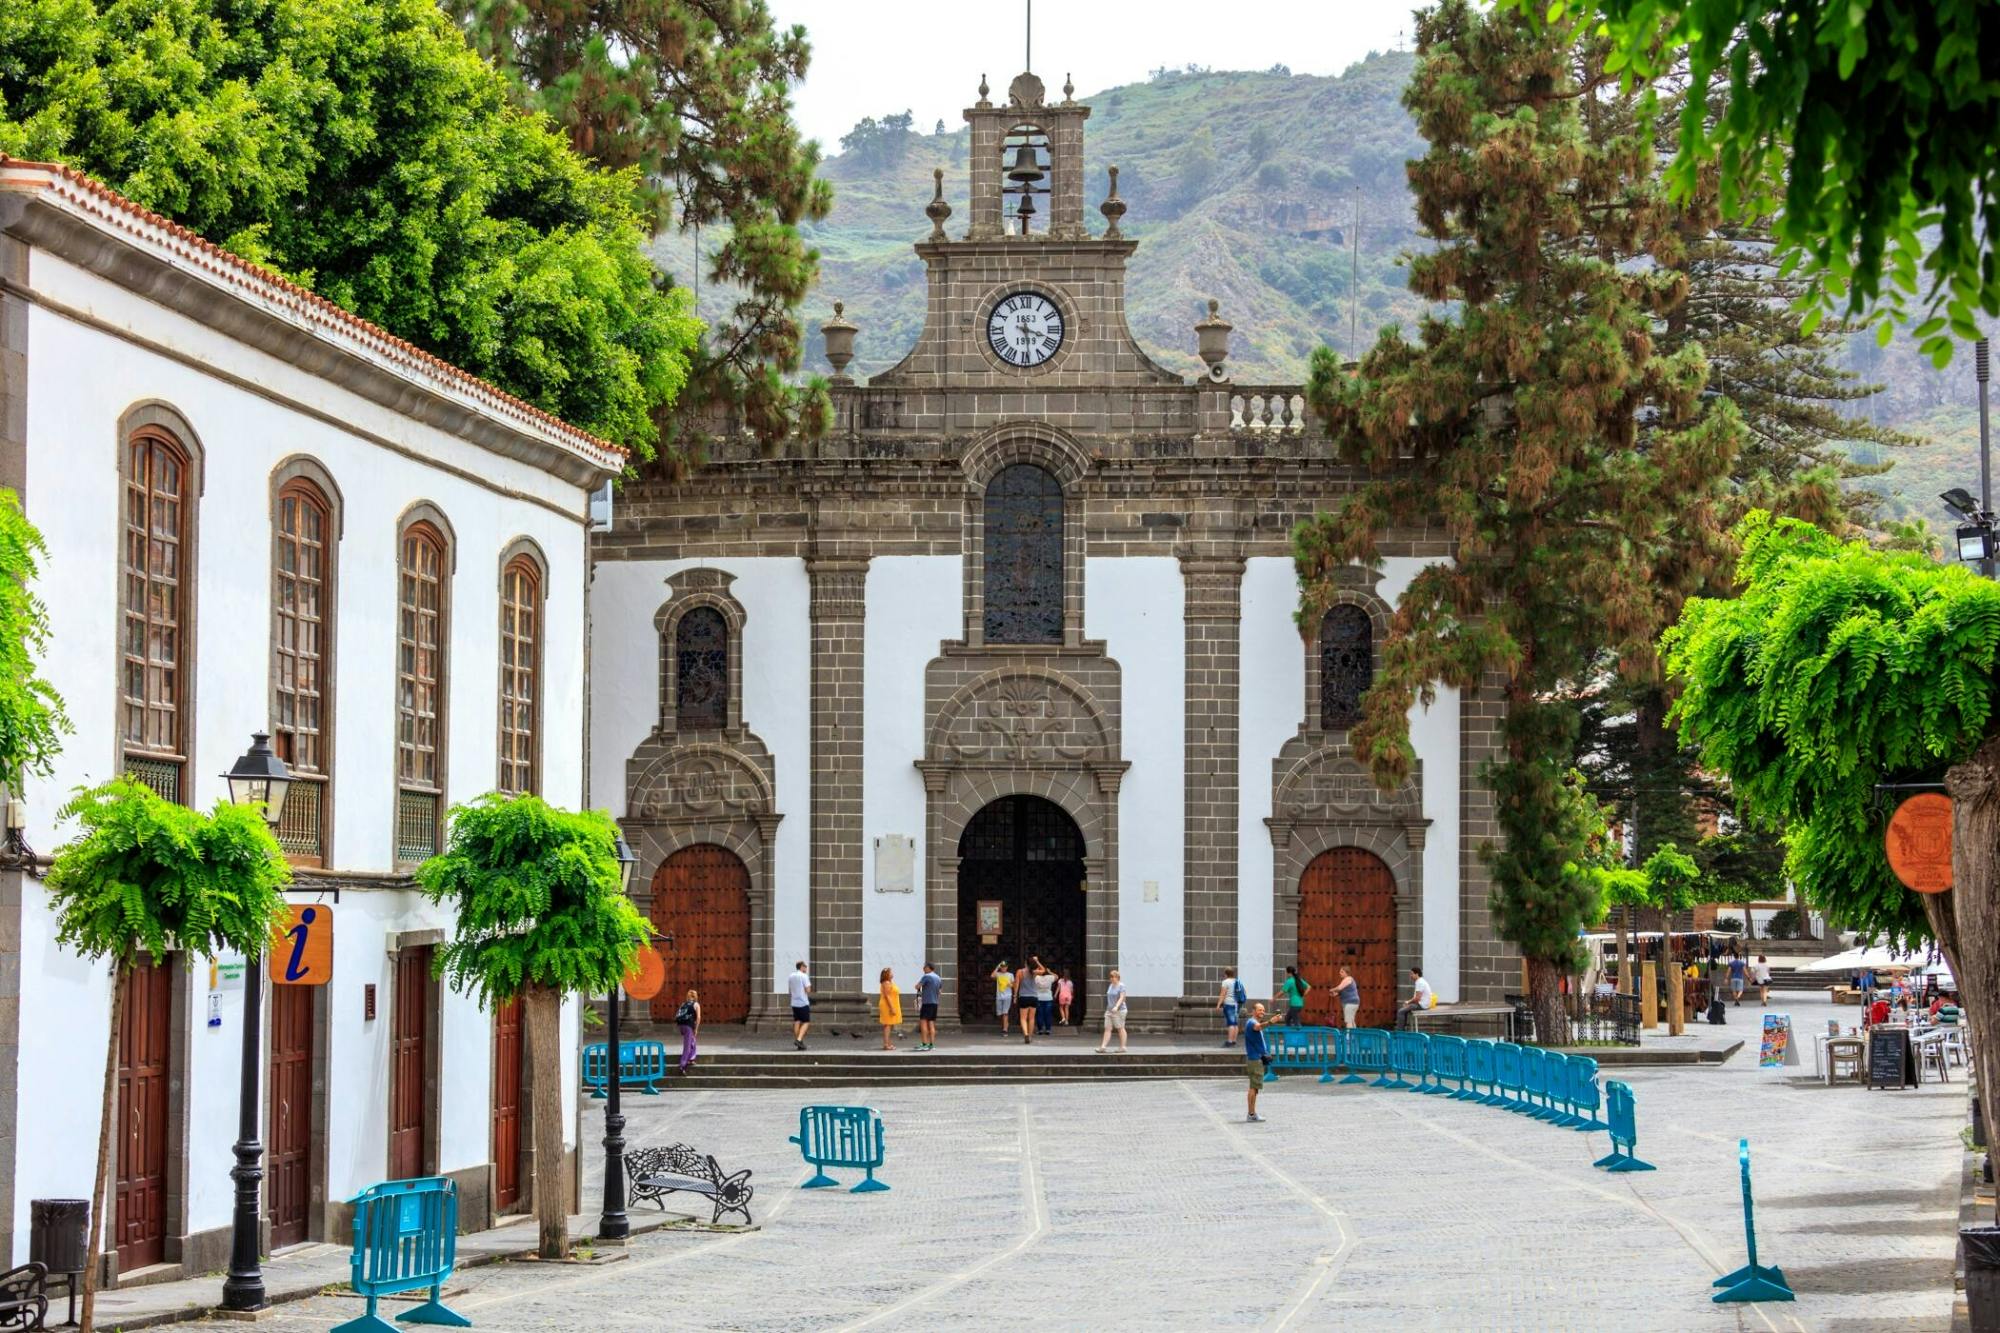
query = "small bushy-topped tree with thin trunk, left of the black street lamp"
{"x": 153, "y": 880}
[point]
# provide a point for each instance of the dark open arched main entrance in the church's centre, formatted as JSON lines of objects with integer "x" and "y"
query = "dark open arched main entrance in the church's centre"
{"x": 1025, "y": 860}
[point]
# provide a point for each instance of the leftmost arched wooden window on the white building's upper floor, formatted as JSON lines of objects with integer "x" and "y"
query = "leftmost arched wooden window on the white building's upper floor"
{"x": 157, "y": 605}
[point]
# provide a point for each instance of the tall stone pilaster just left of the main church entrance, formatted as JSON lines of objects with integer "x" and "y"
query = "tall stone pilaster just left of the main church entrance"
{"x": 839, "y": 605}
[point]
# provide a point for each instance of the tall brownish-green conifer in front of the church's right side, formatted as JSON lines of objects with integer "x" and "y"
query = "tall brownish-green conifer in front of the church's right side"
{"x": 1575, "y": 467}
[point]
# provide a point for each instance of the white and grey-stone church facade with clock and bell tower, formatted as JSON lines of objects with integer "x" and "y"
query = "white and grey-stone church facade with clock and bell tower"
{"x": 1007, "y": 665}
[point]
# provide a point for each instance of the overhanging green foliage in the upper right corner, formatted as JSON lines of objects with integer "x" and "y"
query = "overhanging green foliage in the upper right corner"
{"x": 1869, "y": 121}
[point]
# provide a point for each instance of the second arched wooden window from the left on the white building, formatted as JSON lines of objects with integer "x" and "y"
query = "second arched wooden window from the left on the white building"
{"x": 301, "y": 661}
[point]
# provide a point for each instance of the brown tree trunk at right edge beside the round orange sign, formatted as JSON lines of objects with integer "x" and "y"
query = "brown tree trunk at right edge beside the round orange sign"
{"x": 1969, "y": 926}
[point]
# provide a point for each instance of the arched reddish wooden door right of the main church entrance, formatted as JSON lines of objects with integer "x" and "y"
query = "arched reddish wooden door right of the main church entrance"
{"x": 1347, "y": 918}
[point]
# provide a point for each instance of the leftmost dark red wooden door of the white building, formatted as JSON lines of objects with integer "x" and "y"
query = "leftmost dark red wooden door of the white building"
{"x": 145, "y": 1066}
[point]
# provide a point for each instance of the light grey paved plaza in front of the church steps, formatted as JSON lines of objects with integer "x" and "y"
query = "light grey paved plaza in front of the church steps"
{"x": 1155, "y": 1206}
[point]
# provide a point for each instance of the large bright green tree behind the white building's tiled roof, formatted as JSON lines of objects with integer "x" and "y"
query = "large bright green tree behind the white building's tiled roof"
{"x": 363, "y": 149}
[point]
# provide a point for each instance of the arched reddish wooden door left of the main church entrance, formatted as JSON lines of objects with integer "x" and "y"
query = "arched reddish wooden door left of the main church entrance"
{"x": 703, "y": 900}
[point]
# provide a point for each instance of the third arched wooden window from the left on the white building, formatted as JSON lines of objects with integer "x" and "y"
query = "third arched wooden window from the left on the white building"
{"x": 423, "y": 633}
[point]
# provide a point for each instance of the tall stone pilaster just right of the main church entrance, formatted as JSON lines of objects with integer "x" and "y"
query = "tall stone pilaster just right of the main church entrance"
{"x": 1213, "y": 625}
